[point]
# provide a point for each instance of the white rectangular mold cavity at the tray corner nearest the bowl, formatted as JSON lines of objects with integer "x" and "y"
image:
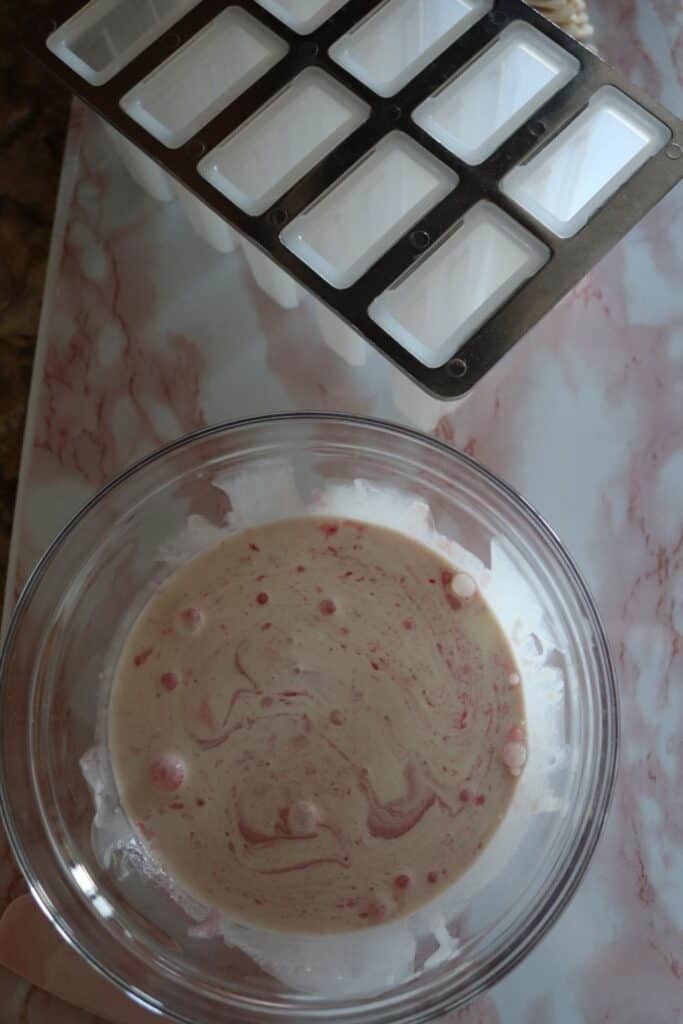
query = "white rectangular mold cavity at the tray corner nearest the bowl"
{"x": 435, "y": 309}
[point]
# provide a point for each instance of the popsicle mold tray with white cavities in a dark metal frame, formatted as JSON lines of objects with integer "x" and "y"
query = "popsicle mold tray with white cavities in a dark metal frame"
{"x": 438, "y": 173}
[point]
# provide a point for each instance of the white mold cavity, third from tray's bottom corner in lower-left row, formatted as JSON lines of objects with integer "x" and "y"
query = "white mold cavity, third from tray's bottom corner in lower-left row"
{"x": 284, "y": 141}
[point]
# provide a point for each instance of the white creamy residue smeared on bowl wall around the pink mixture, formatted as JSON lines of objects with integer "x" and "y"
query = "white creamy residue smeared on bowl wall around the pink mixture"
{"x": 368, "y": 961}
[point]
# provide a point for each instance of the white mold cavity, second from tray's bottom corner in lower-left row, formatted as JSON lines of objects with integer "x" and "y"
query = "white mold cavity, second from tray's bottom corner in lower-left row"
{"x": 362, "y": 217}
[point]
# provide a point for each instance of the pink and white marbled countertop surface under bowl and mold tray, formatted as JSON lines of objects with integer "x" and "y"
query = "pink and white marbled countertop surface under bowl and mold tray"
{"x": 148, "y": 333}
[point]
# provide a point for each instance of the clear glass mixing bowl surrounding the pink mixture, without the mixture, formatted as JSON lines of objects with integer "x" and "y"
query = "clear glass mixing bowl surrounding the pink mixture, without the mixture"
{"x": 87, "y": 870}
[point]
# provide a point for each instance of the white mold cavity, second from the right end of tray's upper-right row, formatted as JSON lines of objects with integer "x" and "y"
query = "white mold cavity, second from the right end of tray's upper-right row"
{"x": 497, "y": 94}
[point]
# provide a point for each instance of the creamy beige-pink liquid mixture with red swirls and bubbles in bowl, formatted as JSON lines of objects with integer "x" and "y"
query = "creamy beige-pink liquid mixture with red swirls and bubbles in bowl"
{"x": 317, "y": 726}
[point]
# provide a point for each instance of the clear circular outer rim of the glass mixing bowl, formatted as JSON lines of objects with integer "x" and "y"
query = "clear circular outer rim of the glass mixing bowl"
{"x": 381, "y": 1008}
